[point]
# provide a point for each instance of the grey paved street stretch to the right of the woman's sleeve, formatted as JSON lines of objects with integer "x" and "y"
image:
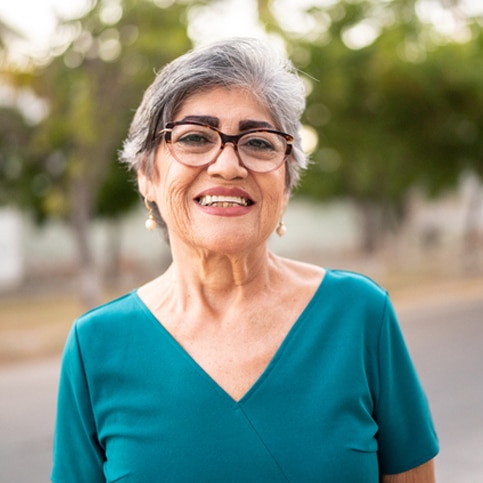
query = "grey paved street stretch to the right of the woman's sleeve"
{"x": 447, "y": 347}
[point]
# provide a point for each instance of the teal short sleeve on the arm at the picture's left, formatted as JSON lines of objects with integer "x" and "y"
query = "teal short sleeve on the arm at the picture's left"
{"x": 77, "y": 456}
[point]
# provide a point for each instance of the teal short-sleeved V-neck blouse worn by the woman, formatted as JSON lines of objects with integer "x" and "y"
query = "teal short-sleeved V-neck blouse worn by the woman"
{"x": 339, "y": 402}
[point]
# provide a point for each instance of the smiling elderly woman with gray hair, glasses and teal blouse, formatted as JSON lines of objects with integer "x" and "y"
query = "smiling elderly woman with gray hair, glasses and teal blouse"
{"x": 235, "y": 365}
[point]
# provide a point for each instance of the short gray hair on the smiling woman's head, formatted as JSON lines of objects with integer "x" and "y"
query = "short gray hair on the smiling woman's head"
{"x": 239, "y": 62}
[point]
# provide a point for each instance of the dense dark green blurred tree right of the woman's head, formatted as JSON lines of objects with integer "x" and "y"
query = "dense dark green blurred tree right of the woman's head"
{"x": 394, "y": 105}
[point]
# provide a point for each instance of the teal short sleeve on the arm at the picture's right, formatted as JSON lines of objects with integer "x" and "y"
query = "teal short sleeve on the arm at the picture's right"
{"x": 406, "y": 434}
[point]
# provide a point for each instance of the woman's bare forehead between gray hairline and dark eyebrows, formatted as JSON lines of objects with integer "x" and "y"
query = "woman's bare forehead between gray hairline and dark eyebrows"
{"x": 225, "y": 104}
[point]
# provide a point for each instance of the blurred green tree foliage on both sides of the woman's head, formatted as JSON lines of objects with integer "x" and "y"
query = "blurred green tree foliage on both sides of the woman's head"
{"x": 394, "y": 101}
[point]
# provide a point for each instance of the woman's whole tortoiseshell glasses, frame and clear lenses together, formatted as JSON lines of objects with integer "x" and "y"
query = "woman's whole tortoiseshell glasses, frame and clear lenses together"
{"x": 196, "y": 144}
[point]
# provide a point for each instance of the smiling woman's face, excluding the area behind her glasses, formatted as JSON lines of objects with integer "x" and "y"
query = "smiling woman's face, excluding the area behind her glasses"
{"x": 223, "y": 206}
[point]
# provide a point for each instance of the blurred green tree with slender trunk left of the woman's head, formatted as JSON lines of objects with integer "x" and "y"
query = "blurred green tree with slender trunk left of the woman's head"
{"x": 92, "y": 88}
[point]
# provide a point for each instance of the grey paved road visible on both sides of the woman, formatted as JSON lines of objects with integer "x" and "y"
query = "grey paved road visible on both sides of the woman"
{"x": 445, "y": 340}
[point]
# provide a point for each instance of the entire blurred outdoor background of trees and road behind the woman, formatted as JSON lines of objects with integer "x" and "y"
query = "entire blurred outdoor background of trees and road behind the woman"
{"x": 394, "y": 128}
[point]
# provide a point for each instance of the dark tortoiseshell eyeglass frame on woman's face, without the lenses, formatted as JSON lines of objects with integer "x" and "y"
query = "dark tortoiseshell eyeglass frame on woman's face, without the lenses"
{"x": 225, "y": 139}
